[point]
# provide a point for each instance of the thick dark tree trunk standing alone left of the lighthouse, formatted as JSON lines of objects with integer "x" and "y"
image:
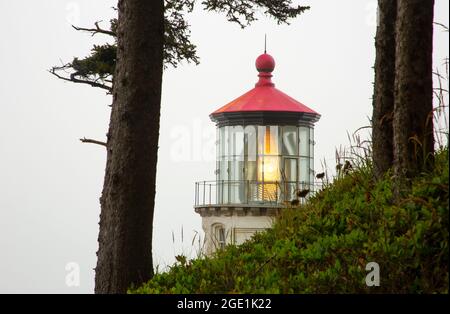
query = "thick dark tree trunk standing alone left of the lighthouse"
{"x": 127, "y": 201}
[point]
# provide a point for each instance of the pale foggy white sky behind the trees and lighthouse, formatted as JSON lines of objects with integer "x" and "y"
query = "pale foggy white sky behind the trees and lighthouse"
{"x": 50, "y": 183}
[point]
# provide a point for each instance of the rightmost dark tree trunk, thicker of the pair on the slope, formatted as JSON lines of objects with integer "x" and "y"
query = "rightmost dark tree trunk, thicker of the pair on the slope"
{"x": 413, "y": 108}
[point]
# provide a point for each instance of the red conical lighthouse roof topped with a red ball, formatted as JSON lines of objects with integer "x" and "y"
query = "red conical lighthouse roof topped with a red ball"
{"x": 265, "y": 97}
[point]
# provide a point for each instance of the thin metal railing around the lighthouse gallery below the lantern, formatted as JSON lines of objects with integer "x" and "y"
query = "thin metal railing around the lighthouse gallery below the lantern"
{"x": 249, "y": 192}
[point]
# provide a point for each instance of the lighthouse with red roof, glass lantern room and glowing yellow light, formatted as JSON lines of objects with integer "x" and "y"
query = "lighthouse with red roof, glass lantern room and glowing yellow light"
{"x": 265, "y": 157}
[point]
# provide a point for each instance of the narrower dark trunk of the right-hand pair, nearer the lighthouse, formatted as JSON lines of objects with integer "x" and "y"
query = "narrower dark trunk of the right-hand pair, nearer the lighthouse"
{"x": 383, "y": 95}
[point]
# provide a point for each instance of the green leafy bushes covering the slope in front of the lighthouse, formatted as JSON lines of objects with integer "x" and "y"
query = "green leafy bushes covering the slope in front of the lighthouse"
{"x": 324, "y": 246}
